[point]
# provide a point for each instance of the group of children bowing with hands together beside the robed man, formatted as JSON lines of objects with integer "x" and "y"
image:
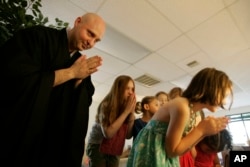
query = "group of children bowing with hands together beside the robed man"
{"x": 172, "y": 130}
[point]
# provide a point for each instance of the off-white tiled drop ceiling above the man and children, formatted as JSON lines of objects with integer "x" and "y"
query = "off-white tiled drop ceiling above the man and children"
{"x": 160, "y": 37}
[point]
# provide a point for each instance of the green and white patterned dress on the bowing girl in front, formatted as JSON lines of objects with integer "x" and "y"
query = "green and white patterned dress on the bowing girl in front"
{"x": 148, "y": 149}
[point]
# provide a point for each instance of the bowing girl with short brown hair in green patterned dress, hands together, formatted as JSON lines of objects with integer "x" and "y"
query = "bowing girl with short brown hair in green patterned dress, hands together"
{"x": 161, "y": 142}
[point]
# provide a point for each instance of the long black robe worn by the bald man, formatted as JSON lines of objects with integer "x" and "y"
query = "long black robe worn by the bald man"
{"x": 41, "y": 125}
